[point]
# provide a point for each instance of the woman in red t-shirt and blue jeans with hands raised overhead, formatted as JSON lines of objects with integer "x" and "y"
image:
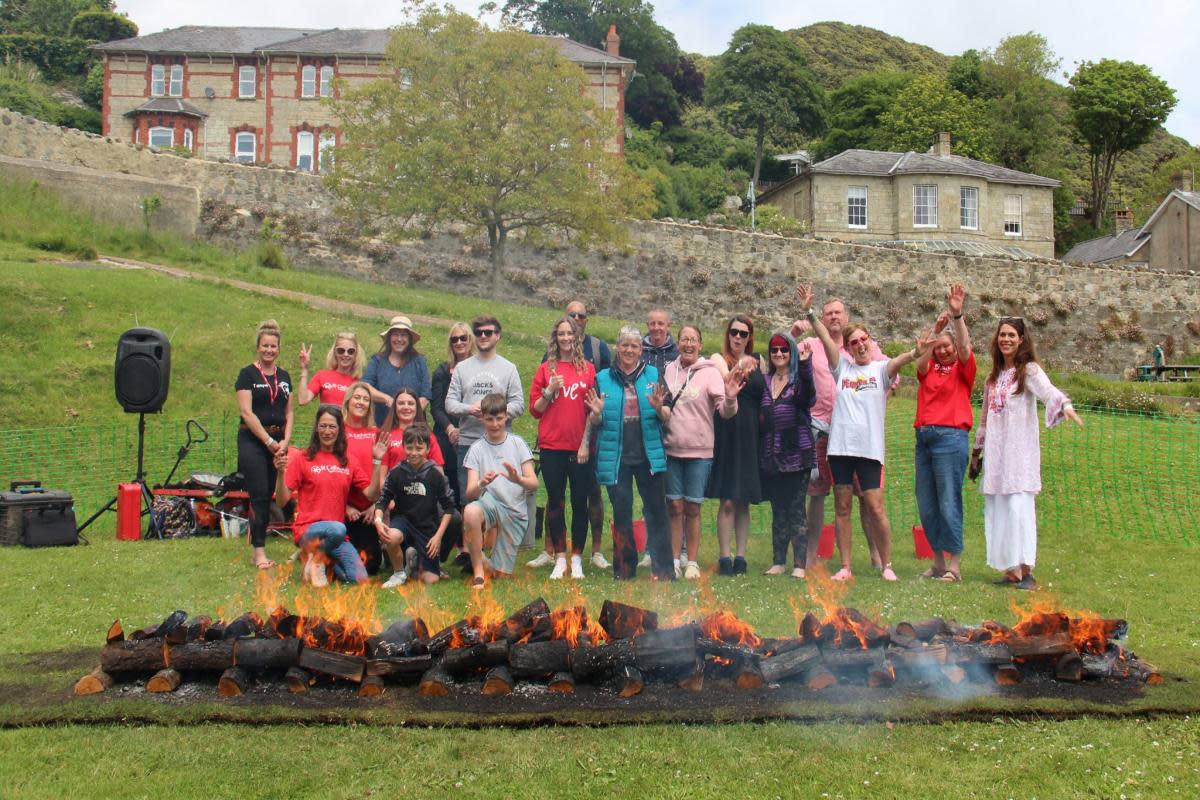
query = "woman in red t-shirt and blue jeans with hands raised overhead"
{"x": 946, "y": 376}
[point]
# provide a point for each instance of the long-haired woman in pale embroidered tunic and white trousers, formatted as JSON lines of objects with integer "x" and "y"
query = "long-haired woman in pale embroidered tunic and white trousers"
{"x": 1009, "y": 443}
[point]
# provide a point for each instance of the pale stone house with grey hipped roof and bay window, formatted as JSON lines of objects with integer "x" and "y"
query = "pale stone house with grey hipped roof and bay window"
{"x": 934, "y": 201}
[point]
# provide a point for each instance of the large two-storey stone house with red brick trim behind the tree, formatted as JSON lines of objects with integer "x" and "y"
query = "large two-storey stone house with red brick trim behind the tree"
{"x": 254, "y": 94}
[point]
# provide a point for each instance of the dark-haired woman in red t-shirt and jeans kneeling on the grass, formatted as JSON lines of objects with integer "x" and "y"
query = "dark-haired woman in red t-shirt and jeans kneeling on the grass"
{"x": 322, "y": 478}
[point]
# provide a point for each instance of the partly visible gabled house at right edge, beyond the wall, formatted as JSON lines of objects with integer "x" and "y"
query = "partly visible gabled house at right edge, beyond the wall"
{"x": 1169, "y": 240}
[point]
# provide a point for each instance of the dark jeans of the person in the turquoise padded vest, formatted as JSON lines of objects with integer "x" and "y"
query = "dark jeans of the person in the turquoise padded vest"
{"x": 655, "y": 510}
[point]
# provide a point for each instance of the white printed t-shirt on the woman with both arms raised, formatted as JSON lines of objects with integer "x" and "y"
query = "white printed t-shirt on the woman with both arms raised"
{"x": 860, "y": 402}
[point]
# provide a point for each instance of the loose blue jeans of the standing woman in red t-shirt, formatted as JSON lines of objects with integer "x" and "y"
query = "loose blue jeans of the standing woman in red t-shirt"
{"x": 941, "y": 466}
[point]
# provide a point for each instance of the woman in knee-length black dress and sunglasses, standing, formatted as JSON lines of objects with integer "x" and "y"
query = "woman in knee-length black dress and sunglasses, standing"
{"x": 735, "y": 477}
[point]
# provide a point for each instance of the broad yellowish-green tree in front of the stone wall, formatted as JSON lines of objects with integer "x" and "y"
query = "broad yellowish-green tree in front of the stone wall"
{"x": 491, "y": 129}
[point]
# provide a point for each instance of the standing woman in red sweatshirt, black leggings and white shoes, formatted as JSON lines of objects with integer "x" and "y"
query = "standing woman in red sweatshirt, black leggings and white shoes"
{"x": 557, "y": 399}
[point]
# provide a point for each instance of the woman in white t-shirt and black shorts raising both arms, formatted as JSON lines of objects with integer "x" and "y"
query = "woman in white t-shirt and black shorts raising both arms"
{"x": 856, "y": 436}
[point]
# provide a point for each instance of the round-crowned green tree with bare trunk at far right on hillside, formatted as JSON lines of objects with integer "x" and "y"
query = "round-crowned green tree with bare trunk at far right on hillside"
{"x": 1117, "y": 107}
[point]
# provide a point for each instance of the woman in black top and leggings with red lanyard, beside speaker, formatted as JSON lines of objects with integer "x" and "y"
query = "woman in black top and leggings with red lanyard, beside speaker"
{"x": 265, "y": 404}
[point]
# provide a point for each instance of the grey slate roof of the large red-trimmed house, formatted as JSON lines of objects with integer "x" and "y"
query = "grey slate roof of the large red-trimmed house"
{"x": 351, "y": 41}
